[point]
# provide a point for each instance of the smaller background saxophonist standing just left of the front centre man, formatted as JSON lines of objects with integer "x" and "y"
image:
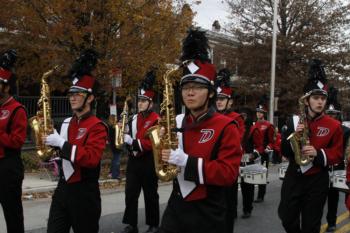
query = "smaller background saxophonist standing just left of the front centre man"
{"x": 140, "y": 171}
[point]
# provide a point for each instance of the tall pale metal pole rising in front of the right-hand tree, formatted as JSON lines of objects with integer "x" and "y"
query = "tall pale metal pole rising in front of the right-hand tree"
{"x": 273, "y": 62}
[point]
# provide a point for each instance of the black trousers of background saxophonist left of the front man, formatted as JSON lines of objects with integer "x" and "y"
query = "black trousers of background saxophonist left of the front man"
{"x": 140, "y": 174}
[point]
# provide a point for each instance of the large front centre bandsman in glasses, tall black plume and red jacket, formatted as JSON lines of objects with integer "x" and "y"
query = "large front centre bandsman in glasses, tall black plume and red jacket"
{"x": 209, "y": 150}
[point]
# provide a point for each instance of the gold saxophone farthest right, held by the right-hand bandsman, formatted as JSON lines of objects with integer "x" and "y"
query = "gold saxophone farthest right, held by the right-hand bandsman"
{"x": 299, "y": 140}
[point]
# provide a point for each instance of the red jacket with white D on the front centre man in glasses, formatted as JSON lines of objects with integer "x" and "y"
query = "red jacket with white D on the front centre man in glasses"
{"x": 212, "y": 142}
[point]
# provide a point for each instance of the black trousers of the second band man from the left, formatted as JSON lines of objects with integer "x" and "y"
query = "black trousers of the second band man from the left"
{"x": 76, "y": 205}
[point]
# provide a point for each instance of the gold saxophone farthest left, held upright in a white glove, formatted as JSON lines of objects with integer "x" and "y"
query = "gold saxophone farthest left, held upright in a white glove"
{"x": 41, "y": 123}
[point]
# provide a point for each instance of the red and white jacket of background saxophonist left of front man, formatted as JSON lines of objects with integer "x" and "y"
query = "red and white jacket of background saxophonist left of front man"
{"x": 139, "y": 126}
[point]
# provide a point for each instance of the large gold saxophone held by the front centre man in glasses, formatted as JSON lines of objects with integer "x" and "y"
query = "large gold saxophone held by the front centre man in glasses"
{"x": 164, "y": 170}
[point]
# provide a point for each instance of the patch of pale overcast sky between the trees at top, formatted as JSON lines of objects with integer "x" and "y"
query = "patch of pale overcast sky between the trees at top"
{"x": 208, "y": 11}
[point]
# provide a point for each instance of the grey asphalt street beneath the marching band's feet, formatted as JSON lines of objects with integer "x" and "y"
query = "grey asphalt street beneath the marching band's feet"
{"x": 264, "y": 217}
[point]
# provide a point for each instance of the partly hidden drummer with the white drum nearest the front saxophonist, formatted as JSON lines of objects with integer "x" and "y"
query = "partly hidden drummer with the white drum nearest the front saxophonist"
{"x": 253, "y": 146}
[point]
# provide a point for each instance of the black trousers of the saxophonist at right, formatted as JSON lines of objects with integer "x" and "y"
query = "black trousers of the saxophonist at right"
{"x": 302, "y": 200}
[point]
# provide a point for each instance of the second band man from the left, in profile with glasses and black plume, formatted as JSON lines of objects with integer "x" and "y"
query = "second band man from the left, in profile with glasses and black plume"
{"x": 76, "y": 201}
